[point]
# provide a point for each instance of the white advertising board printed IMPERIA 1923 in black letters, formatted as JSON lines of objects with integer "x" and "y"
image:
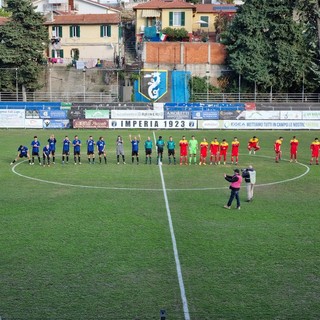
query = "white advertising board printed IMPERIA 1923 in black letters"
{"x": 153, "y": 124}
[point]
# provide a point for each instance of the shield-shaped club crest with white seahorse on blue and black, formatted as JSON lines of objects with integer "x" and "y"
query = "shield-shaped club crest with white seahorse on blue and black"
{"x": 153, "y": 84}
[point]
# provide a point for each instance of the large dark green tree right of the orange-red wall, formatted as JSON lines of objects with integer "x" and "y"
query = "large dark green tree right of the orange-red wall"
{"x": 266, "y": 46}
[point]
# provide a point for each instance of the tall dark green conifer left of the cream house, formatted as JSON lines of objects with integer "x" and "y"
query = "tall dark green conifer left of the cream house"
{"x": 23, "y": 40}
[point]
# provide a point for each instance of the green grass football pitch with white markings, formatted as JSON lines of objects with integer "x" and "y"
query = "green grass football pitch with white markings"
{"x": 109, "y": 241}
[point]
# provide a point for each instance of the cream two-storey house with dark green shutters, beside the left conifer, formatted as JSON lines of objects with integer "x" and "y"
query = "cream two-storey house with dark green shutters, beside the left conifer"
{"x": 85, "y": 38}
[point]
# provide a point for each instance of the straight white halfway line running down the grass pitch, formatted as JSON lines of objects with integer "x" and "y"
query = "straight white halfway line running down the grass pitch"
{"x": 174, "y": 244}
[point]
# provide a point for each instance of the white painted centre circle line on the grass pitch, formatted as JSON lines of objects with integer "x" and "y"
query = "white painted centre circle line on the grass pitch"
{"x": 154, "y": 189}
